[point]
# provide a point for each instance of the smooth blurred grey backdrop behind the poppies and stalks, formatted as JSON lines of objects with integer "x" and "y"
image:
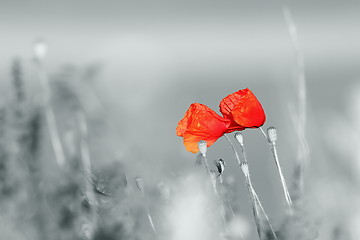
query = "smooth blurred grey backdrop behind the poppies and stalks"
{"x": 152, "y": 59}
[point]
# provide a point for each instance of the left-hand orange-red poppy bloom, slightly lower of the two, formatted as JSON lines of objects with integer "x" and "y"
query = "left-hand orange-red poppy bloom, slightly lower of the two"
{"x": 201, "y": 123}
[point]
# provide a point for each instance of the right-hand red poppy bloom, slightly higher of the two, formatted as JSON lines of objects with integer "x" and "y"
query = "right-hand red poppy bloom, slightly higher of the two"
{"x": 243, "y": 109}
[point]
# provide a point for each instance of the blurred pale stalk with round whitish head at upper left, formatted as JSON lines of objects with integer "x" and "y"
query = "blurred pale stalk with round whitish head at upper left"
{"x": 40, "y": 52}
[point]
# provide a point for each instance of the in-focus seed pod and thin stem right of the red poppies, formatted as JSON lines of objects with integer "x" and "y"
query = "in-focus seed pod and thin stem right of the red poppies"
{"x": 271, "y": 137}
